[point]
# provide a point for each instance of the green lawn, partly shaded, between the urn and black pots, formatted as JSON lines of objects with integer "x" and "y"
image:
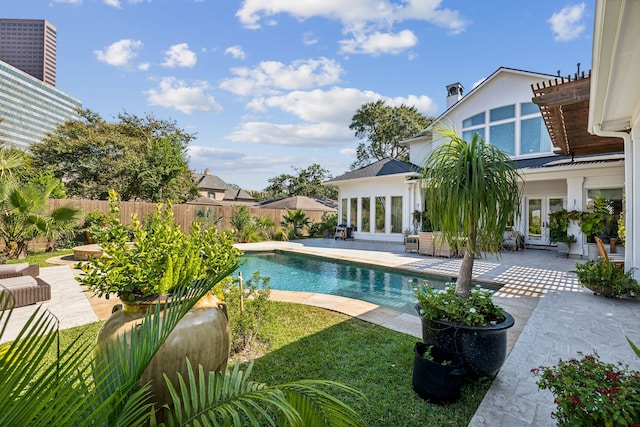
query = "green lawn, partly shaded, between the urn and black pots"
{"x": 313, "y": 343}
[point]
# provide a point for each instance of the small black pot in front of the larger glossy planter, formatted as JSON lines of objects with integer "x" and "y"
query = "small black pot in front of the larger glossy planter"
{"x": 434, "y": 381}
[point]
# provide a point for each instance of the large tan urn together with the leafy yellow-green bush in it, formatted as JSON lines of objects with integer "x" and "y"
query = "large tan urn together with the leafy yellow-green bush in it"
{"x": 145, "y": 272}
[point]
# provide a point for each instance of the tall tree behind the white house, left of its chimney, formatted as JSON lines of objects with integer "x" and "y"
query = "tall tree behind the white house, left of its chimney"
{"x": 384, "y": 127}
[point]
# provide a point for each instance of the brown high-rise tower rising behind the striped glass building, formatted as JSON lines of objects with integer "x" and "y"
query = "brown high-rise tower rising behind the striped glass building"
{"x": 30, "y": 45}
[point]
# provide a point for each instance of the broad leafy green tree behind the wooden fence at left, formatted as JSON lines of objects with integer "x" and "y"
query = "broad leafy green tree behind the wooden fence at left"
{"x": 141, "y": 158}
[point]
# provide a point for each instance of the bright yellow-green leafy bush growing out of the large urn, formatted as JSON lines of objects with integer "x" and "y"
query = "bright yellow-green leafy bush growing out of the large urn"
{"x": 160, "y": 257}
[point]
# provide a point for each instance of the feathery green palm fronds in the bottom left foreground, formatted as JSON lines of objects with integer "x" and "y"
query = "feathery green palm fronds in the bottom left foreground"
{"x": 78, "y": 388}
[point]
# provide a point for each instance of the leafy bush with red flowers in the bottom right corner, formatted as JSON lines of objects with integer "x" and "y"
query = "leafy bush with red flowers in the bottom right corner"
{"x": 590, "y": 392}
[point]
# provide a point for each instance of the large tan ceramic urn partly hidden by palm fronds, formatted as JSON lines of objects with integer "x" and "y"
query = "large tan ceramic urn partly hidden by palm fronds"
{"x": 202, "y": 335}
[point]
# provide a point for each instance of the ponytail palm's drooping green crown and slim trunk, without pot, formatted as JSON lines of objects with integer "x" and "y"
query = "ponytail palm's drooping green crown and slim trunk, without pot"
{"x": 472, "y": 193}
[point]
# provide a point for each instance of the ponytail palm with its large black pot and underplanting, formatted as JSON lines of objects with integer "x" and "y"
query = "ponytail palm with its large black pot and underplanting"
{"x": 472, "y": 194}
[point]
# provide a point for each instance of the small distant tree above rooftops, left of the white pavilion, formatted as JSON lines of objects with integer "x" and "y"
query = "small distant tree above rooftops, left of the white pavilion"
{"x": 305, "y": 182}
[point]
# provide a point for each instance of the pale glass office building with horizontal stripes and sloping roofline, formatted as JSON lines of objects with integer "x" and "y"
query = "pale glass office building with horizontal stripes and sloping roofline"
{"x": 30, "y": 108}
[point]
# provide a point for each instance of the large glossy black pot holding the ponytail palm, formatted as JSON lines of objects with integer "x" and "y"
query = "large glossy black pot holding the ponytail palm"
{"x": 483, "y": 348}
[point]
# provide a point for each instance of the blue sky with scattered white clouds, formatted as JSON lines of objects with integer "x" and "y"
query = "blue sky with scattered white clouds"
{"x": 271, "y": 86}
